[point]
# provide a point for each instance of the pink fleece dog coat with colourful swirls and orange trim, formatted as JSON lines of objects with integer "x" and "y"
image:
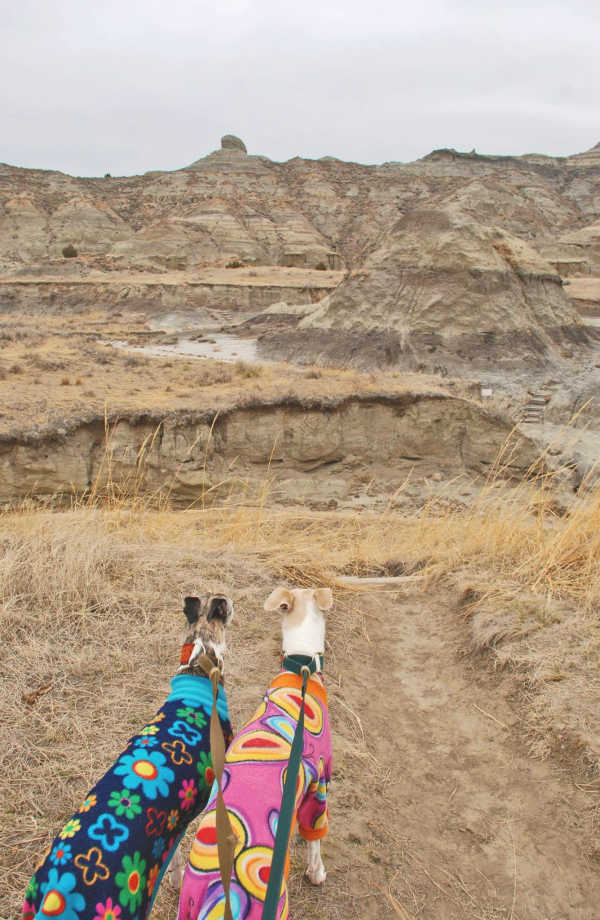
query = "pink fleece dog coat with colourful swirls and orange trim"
{"x": 255, "y": 769}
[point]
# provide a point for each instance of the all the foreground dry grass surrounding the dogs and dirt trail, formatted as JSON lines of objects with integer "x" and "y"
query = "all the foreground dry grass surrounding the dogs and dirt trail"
{"x": 88, "y": 593}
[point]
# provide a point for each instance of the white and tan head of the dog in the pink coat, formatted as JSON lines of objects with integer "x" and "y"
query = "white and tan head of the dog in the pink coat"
{"x": 303, "y": 623}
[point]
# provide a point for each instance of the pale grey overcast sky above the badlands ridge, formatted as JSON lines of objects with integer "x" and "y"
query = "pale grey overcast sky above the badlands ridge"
{"x": 130, "y": 85}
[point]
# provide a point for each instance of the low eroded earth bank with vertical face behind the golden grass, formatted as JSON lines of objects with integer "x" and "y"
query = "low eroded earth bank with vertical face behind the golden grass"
{"x": 306, "y": 450}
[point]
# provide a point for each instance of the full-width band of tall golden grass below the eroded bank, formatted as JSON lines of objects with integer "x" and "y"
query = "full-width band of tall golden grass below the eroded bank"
{"x": 516, "y": 532}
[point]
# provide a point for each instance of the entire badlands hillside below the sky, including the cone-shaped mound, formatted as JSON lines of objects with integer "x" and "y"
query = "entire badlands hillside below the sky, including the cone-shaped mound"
{"x": 454, "y": 258}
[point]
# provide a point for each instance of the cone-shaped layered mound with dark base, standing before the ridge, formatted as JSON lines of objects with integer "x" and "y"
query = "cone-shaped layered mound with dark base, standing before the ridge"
{"x": 440, "y": 283}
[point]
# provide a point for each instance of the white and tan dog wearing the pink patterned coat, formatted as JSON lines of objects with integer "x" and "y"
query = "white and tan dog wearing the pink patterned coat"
{"x": 255, "y": 767}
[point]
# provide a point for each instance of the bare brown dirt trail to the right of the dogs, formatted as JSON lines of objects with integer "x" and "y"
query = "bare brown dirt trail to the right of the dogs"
{"x": 441, "y": 813}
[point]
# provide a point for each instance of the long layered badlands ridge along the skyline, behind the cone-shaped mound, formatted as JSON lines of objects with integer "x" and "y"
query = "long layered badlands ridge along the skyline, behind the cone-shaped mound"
{"x": 230, "y": 205}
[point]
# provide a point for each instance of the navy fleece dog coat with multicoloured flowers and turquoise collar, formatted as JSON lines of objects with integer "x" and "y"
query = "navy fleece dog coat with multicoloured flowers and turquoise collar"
{"x": 107, "y": 861}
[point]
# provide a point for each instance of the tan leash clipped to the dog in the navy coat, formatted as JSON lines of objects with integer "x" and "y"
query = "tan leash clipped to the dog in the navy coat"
{"x": 226, "y": 839}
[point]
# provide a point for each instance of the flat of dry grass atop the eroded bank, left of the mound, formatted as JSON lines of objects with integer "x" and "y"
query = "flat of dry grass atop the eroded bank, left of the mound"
{"x": 49, "y": 352}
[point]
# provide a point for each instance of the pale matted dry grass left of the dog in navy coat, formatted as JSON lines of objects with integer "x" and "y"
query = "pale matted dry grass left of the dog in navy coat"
{"x": 88, "y": 597}
